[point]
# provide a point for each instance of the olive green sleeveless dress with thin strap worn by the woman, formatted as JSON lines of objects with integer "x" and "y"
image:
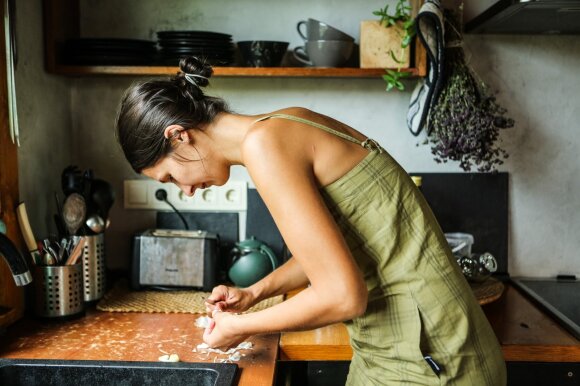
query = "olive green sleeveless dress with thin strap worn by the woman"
{"x": 419, "y": 303}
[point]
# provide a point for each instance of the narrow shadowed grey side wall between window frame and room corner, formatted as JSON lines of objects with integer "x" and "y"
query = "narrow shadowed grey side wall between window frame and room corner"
{"x": 45, "y": 121}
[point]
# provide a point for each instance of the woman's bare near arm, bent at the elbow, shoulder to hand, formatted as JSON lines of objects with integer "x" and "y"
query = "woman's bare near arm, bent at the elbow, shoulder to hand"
{"x": 283, "y": 174}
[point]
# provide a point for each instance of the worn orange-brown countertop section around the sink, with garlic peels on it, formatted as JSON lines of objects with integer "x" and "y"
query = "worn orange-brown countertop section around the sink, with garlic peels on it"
{"x": 131, "y": 337}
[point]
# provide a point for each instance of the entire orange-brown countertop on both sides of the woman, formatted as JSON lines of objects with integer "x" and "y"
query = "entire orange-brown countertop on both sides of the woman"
{"x": 525, "y": 333}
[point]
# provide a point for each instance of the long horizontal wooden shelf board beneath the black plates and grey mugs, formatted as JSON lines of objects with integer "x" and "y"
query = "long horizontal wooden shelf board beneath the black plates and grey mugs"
{"x": 282, "y": 72}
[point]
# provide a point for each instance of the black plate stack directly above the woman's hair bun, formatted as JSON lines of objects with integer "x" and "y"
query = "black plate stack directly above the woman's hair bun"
{"x": 215, "y": 47}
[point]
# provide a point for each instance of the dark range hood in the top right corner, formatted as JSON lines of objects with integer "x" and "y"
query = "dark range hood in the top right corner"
{"x": 522, "y": 16}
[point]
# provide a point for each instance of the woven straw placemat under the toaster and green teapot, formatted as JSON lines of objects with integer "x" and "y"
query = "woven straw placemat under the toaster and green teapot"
{"x": 122, "y": 299}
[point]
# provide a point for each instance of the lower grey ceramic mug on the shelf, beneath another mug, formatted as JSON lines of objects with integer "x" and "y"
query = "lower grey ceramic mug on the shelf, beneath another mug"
{"x": 324, "y": 53}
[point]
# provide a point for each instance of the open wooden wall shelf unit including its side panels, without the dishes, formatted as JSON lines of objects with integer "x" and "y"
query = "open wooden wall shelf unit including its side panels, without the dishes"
{"x": 61, "y": 22}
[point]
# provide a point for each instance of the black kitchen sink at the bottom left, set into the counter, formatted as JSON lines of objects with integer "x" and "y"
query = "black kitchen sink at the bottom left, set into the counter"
{"x": 17, "y": 372}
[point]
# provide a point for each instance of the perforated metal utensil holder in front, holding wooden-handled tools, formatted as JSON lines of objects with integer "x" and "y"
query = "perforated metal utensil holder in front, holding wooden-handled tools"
{"x": 58, "y": 290}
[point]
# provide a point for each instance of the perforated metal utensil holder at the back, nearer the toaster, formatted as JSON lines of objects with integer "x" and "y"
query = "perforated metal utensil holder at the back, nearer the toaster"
{"x": 93, "y": 262}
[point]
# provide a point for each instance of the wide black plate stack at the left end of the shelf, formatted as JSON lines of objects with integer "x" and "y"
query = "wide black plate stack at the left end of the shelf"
{"x": 110, "y": 51}
